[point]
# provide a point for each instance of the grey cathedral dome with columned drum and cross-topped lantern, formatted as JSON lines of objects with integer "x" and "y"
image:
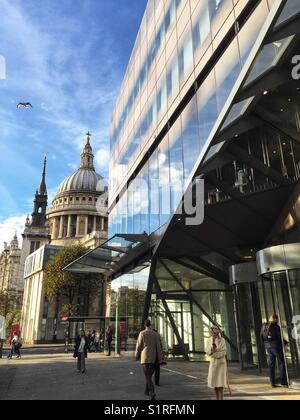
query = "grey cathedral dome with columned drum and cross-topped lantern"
{"x": 79, "y": 209}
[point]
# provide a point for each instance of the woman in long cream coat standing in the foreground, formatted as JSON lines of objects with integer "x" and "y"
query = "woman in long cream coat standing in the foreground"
{"x": 218, "y": 374}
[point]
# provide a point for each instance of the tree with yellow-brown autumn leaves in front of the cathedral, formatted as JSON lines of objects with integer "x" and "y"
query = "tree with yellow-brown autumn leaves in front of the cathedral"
{"x": 71, "y": 291}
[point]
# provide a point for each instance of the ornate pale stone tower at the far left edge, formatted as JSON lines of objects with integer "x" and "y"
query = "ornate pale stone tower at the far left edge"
{"x": 9, "y": 274}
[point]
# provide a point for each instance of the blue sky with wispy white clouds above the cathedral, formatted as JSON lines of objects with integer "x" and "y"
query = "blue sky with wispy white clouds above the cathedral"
{"x": 68, "y": 58}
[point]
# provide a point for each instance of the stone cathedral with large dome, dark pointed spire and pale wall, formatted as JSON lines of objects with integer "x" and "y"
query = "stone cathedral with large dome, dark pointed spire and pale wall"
{"x": 78, "y": 215}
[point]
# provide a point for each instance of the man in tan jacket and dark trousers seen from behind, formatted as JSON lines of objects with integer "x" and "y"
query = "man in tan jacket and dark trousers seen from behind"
{"x": 149, "y": 351}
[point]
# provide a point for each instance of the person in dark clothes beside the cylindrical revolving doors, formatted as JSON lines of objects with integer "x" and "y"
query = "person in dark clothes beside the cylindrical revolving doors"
{"x": 274, "y": 343}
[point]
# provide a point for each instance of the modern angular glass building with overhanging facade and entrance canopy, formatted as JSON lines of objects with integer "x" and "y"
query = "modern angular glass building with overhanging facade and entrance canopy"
{"x": 211, "y": 93}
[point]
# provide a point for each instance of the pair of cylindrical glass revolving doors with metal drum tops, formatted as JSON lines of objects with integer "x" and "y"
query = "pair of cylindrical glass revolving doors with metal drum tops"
{"x": 271, "y": 285}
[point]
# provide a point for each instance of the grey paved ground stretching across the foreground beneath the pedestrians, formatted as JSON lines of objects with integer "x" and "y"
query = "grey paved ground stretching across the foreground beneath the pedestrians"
{"x": 50, "y": 374}
